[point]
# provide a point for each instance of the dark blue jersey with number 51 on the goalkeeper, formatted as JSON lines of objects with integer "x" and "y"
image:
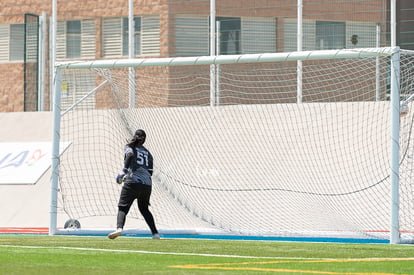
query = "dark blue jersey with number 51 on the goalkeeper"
{"x": 139, "y": 162}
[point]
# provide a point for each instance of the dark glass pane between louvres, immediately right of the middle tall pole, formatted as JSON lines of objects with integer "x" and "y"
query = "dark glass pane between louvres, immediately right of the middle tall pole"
{"x": 229, "y": 29}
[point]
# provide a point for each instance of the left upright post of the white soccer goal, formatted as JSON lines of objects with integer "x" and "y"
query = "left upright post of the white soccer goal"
{"x": 55, "y": 154}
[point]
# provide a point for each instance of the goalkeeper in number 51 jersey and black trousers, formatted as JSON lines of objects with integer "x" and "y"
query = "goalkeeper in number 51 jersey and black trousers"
{"x": 136, "y": 176}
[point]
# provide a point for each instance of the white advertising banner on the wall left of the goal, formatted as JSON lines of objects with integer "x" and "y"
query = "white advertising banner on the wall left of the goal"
{"x": 25, "y": 162}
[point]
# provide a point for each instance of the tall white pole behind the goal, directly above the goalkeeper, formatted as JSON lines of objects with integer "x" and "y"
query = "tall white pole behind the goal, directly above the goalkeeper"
{"x": 131, "y": 53}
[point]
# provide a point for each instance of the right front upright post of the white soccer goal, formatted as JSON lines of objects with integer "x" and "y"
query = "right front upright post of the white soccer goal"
{"x": 395, "y": 147}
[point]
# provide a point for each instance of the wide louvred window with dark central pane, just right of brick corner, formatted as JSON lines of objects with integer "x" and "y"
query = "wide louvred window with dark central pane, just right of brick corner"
{"x": 237, "y": 35}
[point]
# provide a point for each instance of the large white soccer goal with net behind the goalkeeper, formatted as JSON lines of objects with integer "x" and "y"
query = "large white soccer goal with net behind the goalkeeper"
{"x": 301, "y": 144}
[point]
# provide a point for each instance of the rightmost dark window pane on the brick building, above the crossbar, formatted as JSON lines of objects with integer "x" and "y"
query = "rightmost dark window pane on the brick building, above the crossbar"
{"x": 330, "y": 35}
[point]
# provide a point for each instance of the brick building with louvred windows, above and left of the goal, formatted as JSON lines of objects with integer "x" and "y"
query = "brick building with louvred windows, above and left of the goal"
{"x": 93, "y": 29}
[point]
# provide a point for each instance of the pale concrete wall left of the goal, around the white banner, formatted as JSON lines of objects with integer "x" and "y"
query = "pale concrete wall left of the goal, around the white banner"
{"x": 25, "y": 205}
